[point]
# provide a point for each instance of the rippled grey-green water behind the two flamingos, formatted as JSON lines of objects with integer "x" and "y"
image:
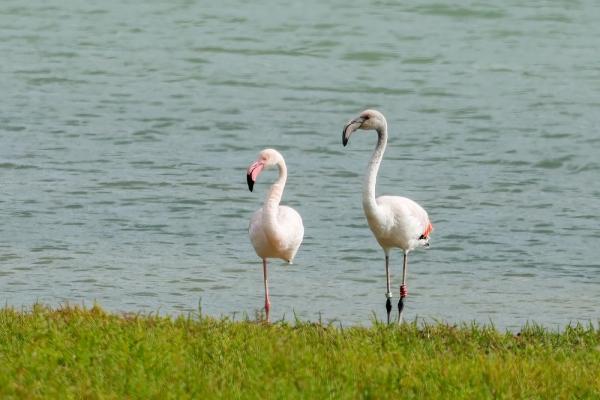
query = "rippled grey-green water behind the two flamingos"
{"x": 126, "y": 129}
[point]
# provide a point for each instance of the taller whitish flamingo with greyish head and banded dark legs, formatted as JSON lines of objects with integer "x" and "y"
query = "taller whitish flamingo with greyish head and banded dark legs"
{"x": 395, "y": 221}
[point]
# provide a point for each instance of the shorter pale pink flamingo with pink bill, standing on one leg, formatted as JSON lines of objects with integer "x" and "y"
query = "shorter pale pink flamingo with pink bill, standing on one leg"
{"x": 275, "y": 231}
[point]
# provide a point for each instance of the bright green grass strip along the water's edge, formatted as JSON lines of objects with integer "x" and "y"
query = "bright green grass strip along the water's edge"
{"x": 73, "y": 352}
